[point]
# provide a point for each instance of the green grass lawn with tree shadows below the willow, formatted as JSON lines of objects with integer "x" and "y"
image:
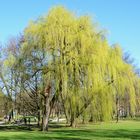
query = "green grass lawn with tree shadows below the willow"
{"x": 124, "y": 130}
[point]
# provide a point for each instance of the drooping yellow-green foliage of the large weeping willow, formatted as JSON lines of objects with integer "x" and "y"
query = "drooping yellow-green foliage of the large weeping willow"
{"x": 87, "y": 73}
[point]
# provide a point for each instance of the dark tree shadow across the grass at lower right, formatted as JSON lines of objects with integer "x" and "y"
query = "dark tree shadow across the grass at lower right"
{"x": 90, "y": 134}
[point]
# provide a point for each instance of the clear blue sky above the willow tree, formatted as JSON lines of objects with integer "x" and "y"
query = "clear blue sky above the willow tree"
{"x": 120, "y": 17}
